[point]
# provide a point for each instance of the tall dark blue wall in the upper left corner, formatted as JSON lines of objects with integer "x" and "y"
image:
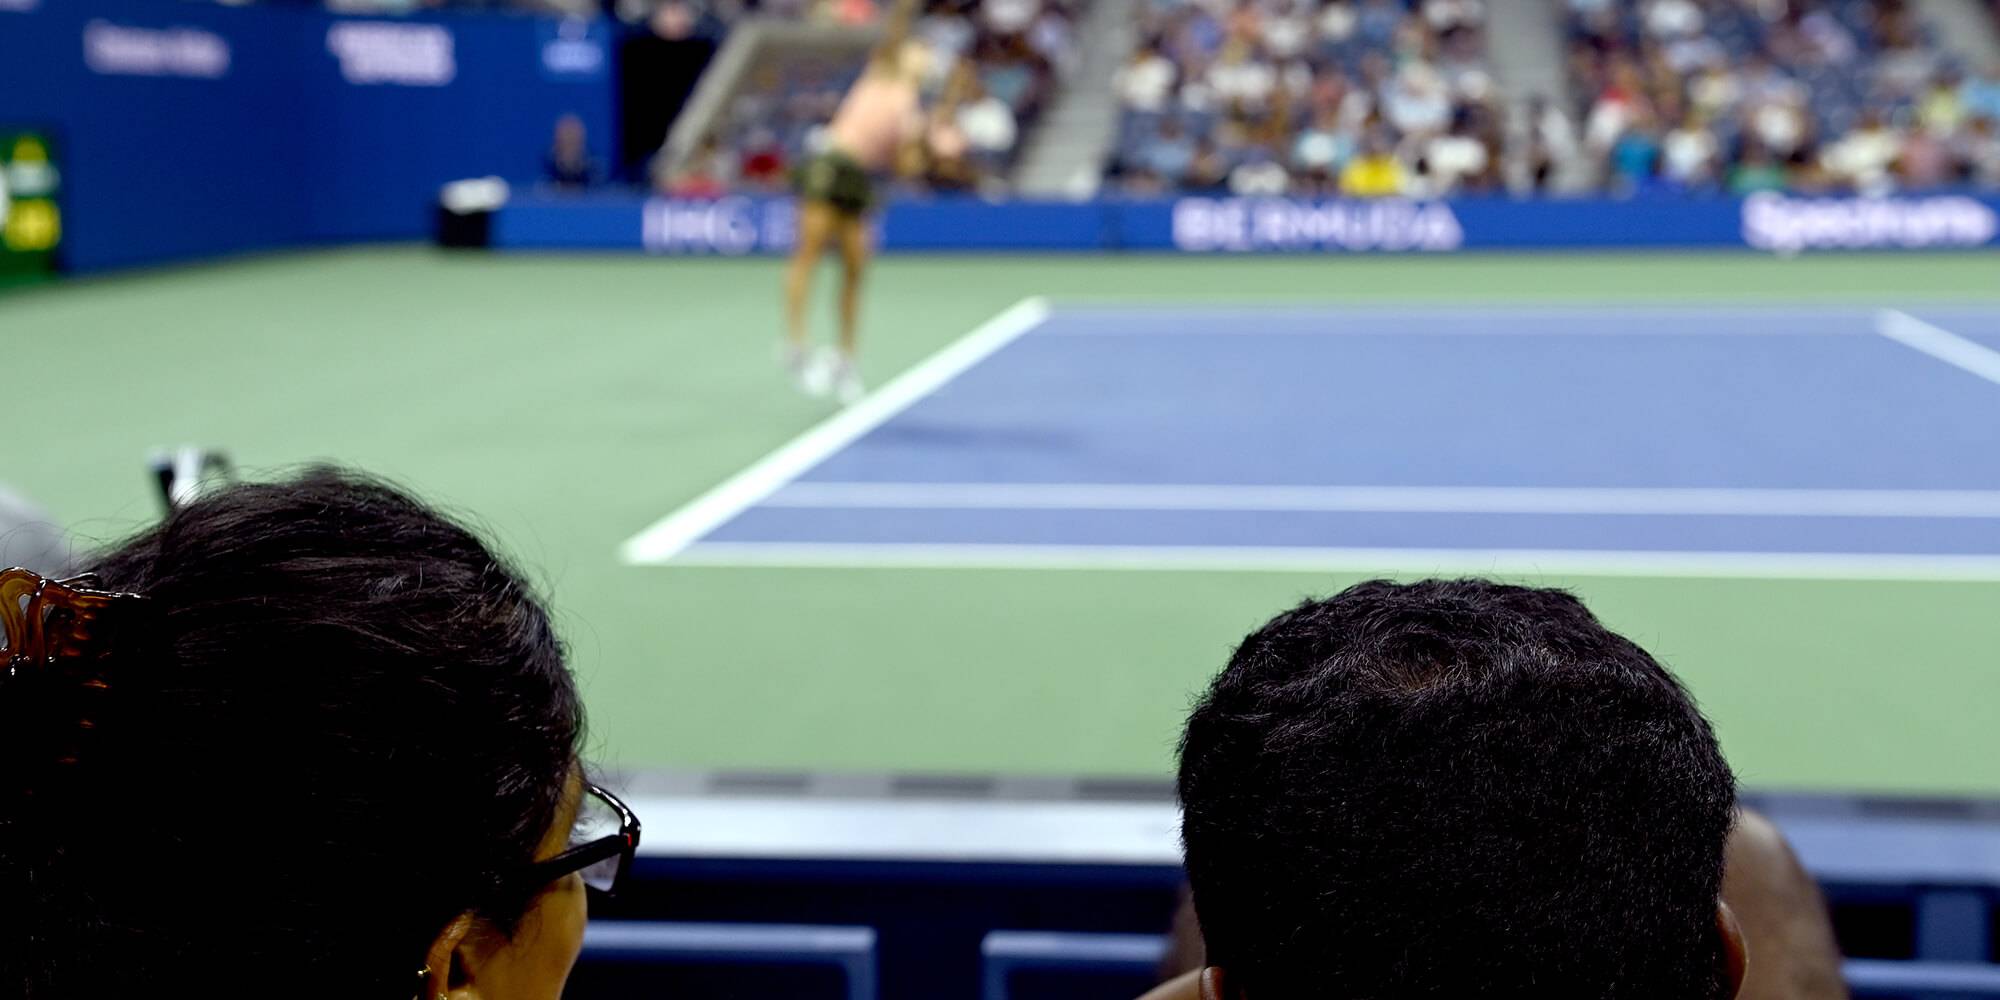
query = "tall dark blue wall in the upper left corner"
{"x": 197, "y": 131}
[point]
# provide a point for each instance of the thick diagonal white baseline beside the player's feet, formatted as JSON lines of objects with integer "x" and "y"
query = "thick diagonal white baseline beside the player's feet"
{"x": 673, "y": 533}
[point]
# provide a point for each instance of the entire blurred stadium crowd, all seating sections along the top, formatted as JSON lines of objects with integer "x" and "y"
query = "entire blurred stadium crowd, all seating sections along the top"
{"x": 1389, "y": 99}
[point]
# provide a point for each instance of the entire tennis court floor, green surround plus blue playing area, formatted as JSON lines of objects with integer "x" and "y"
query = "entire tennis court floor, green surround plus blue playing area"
{"x": 1729, "y": 457}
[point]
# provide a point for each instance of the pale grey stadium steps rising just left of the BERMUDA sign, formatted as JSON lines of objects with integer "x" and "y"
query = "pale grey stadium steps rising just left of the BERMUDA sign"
{"x": 1065, "y": 155}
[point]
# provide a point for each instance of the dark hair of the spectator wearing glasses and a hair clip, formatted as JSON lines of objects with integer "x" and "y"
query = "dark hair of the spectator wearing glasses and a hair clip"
{"x": 339, "y": 725}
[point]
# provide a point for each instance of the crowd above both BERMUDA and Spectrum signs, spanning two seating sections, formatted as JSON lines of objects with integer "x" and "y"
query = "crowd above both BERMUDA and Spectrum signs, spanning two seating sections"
{"x": 1377, "y": 97}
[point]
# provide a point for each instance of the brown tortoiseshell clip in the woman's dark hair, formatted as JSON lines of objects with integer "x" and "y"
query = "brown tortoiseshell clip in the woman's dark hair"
{"x": 57, "y": 623}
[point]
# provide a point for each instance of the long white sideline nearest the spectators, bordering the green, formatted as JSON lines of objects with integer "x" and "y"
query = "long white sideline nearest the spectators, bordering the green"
{"x": 1375, "y": 561}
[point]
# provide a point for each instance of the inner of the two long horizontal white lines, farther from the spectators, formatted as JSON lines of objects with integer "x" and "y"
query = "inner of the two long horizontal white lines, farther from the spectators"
{"x": 1391, "y": 499}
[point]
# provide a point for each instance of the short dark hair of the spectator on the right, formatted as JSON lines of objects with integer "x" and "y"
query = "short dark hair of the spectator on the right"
{"x": 1455, "y": 789}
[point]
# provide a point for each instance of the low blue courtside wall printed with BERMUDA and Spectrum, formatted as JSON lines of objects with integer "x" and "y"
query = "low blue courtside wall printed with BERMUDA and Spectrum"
{"x": 1769, "y": 223}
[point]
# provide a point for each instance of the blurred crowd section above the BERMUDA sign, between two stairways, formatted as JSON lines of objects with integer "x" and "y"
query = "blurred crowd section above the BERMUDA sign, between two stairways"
{"x": 1301, "y": 97}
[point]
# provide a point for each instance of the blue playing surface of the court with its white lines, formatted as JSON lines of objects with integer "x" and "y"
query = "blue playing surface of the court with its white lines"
{"x": 1749, "y": 441}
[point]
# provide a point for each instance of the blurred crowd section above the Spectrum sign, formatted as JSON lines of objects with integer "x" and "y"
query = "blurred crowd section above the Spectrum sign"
{"x": 1767, "y": 95}
